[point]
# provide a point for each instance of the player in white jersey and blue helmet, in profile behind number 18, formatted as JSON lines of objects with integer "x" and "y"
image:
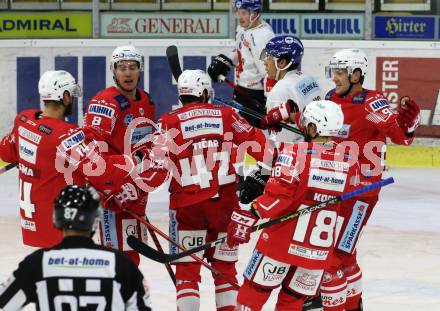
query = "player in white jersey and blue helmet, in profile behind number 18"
{"x": 294, "y": 89}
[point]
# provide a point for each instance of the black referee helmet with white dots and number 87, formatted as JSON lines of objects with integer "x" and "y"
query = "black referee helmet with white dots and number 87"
{"x": 76, "y": 208}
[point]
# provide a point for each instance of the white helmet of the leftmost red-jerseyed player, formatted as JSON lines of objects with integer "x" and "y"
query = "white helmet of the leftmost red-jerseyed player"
{"x": 53, "y": 83}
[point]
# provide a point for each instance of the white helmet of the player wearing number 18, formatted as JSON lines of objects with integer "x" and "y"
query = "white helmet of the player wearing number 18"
{"x": 326, "y": 115}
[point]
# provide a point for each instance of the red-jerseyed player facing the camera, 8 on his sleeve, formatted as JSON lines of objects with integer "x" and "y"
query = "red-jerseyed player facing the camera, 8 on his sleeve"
{"x": 121, "y": 116}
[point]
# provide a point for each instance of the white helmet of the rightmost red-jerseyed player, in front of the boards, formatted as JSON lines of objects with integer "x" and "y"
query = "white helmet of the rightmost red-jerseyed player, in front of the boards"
{"x": 349, "y": 59}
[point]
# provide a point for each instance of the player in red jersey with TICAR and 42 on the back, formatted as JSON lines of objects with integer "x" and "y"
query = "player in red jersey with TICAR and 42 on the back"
{"x": 204, "y": 184}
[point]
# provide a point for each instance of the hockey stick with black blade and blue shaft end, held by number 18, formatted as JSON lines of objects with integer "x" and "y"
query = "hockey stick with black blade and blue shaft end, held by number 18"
{"x": 165, "y": 258}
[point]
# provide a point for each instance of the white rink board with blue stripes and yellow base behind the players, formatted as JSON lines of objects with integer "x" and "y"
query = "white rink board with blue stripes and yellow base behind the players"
{"x": 23, "y": 61}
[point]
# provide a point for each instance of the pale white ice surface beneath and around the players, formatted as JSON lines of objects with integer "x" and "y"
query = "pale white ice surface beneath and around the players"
{"x": 399, "y": 254}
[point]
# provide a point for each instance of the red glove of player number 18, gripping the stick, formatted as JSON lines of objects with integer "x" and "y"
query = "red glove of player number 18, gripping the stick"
{"x": 239, "y": 229}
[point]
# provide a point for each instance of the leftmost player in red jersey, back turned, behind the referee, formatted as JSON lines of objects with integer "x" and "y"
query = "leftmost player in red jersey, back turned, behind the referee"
{"x": 52, "y": 153}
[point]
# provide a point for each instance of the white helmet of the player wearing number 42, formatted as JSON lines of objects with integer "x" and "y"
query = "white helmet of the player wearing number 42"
{"x": 194, "y": 82}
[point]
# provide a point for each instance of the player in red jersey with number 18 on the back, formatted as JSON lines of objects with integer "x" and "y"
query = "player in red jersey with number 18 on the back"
{"x": 295, "y": 253}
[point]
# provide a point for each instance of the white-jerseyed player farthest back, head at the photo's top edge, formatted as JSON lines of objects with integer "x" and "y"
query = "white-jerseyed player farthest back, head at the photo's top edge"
{"x": 252, "y": 35}
